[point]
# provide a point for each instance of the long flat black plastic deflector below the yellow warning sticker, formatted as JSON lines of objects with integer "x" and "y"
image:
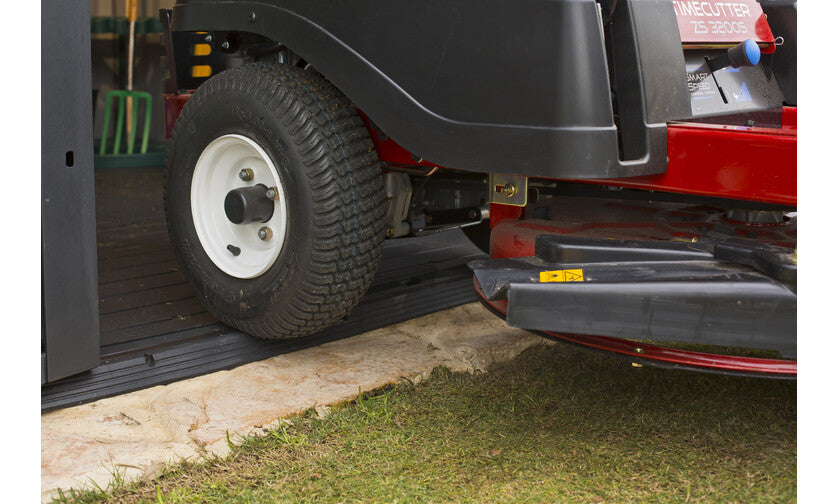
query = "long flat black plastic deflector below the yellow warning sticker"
{"x": 733, "y": 313}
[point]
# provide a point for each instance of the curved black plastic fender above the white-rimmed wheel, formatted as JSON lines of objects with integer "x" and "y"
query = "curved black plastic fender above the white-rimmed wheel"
{"x": 488, "y": 85}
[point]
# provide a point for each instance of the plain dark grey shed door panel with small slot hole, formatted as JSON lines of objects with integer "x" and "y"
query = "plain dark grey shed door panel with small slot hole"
{"x": 68, "y": 234}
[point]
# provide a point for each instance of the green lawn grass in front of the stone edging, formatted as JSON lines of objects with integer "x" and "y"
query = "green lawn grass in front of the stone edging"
{"x": 557, "y": 424}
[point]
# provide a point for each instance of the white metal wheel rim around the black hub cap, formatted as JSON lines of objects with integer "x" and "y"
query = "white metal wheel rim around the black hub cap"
{"x": 216, "y": 173}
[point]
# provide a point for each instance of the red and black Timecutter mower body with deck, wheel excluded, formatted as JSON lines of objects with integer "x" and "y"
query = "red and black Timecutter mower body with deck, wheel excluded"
{"x": 645, "y": 149}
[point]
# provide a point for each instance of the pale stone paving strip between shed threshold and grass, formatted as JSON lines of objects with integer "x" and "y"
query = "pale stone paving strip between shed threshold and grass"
{"x": 138, "y": 433}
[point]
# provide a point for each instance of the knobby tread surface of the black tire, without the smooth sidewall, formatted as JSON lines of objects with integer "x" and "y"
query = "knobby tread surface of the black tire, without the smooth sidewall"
{"x": 344, "y": 175}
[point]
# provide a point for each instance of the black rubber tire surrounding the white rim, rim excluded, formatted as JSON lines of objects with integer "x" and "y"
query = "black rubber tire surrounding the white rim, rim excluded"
{"x": 331, "y": 177}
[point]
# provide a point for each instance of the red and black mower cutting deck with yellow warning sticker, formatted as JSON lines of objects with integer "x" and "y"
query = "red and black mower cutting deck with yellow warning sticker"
{"x": 617, "y": 274}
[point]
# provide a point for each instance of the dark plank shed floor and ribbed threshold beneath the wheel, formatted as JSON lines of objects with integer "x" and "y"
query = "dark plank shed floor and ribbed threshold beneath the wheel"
{"x": 153, "y": 330}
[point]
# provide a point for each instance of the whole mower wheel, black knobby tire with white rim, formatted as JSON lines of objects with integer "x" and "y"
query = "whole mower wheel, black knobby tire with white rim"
{"x": 274, "y": 200}
